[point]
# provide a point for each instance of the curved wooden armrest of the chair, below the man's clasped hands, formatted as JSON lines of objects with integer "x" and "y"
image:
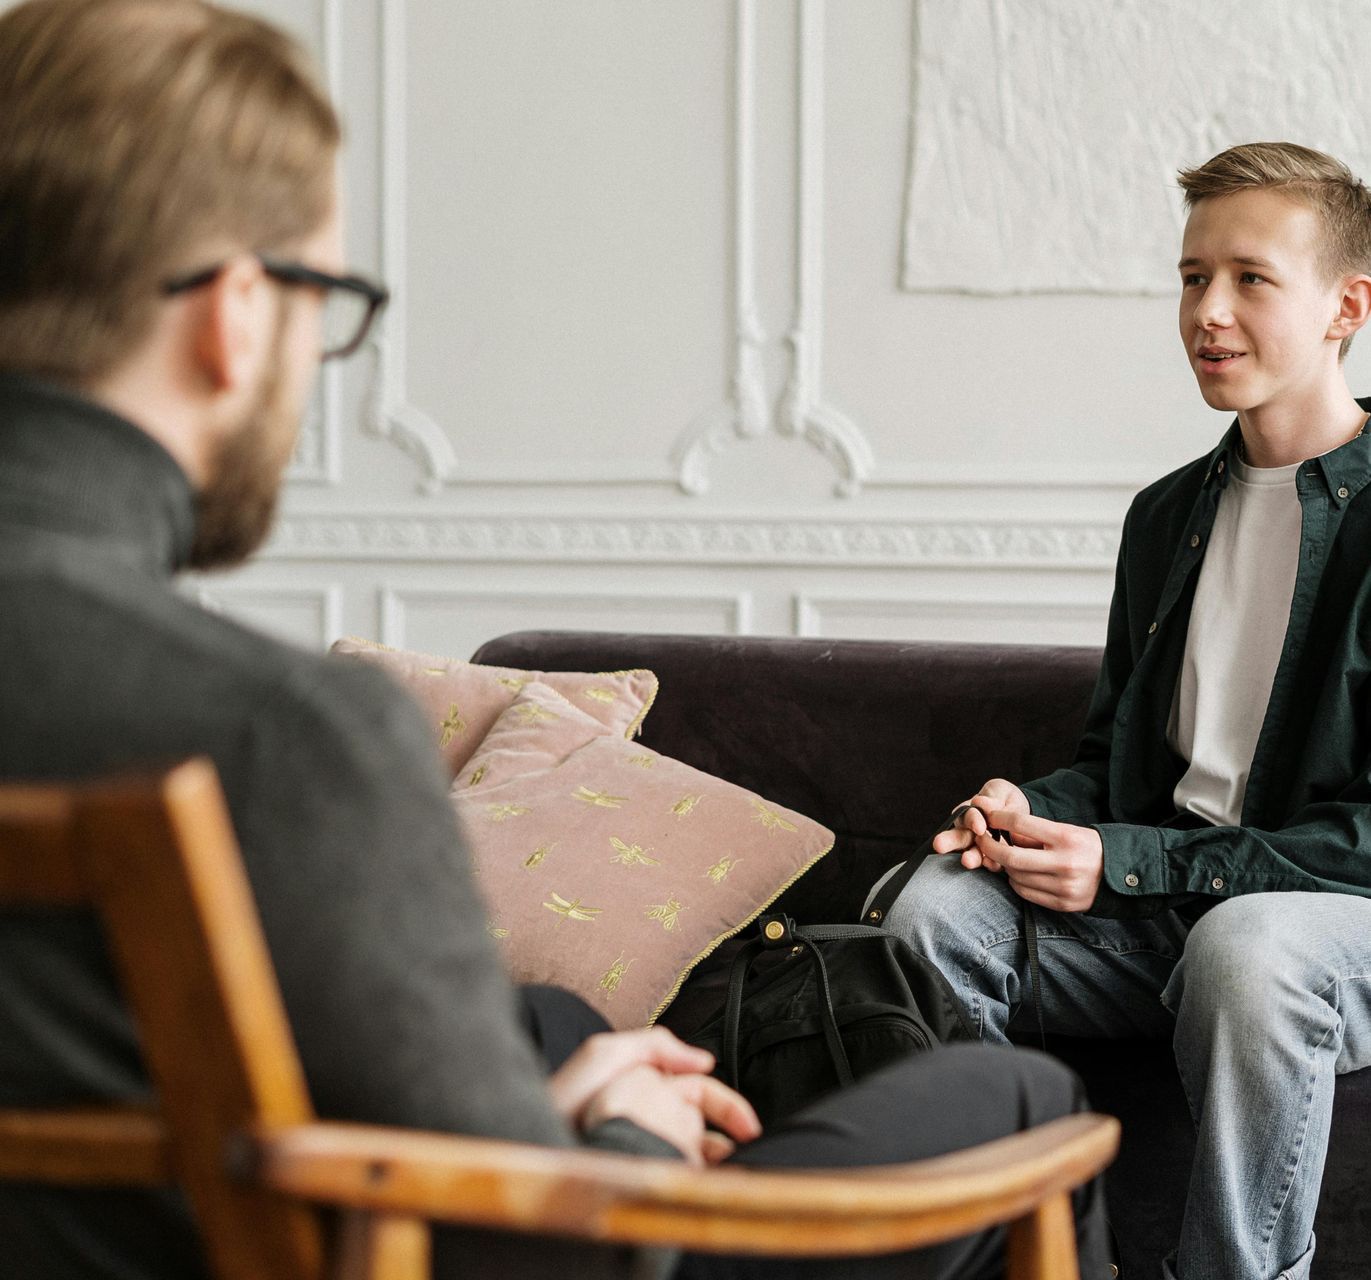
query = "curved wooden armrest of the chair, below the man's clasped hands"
{"x": 631, "y": 1200}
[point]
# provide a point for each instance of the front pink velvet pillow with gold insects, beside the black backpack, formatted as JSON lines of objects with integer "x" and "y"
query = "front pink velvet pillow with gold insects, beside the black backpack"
{"x": 611, "y": 870}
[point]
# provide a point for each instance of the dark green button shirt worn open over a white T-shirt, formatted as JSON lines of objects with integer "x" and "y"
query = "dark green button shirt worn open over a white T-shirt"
{"x": 1307, "y": 812}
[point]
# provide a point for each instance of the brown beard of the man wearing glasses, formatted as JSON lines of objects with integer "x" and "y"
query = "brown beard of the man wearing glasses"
{"x": 236, "y": 506}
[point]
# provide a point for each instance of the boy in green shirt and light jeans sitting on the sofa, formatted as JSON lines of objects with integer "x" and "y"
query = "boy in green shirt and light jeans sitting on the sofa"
{"x": 1200, "y": 871}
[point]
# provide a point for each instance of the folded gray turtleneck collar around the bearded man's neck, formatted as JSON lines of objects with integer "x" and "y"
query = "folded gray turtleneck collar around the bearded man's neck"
{"x": 72, "y": 468}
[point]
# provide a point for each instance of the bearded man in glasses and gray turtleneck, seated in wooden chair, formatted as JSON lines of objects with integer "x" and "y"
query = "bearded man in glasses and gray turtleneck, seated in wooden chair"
{"x": 171, "y": 272}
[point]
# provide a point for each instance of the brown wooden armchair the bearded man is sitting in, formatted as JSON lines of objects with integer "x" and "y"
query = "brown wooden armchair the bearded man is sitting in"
{"x": 158, "y": 860}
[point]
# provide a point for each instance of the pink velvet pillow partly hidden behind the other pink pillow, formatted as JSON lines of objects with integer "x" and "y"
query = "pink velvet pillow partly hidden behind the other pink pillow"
{"x": 464, "y": 700}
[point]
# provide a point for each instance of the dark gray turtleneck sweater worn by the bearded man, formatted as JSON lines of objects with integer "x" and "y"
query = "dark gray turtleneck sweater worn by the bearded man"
{"x": 398, "y": 1001}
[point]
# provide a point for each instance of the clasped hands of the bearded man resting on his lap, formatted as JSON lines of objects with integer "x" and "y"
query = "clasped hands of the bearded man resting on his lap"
{"x": 662, "y": 1085}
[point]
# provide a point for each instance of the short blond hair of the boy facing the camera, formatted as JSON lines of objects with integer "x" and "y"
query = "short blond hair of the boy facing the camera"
{"x": 1317, "y": 180}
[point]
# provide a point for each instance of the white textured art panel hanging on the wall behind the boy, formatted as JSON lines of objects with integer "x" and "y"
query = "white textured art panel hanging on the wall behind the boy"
{"x": 1047, "y": 135}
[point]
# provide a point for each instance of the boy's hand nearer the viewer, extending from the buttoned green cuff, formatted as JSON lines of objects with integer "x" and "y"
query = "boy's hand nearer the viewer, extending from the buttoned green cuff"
{"x": 1051, "y": 864}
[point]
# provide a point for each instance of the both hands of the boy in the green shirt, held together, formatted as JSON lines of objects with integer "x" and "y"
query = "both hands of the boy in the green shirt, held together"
{"x": 1051, "y": 864}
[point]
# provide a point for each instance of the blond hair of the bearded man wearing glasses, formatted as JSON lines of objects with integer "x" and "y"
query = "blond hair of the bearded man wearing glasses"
{"x": 136, "y": 135}
